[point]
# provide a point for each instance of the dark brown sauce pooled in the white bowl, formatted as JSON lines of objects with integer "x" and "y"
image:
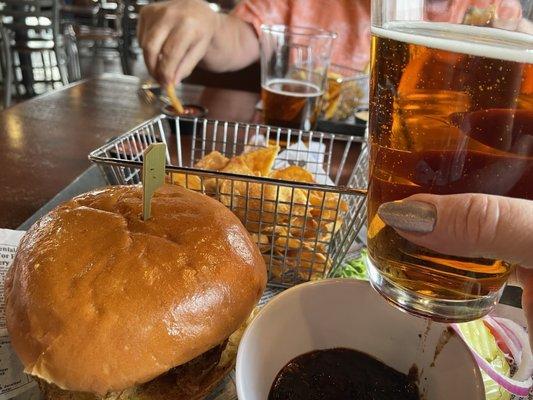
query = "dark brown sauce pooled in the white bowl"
{"x": 339, "y": 374}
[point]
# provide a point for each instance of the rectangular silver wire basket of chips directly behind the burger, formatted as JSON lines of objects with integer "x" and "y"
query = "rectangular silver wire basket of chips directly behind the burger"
{"x": 303, "y": 227}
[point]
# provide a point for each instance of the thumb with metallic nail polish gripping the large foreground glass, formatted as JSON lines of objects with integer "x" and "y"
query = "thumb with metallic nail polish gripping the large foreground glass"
{"x": 467, "y": 225}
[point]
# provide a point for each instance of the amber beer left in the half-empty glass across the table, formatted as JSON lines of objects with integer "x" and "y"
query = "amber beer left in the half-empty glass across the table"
{"x": 291, "y": 103}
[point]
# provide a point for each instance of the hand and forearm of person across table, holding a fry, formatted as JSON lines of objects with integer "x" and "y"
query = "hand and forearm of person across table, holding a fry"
{"x": 176, "y": 35}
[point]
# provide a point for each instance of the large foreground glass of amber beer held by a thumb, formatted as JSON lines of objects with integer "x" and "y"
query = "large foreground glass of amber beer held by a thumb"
{"x": 451, "y": 111}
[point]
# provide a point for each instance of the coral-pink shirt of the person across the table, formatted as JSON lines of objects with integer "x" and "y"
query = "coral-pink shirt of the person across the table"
{"x": 350, "y": 19}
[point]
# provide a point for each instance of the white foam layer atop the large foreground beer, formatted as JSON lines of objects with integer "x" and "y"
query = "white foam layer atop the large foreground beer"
{"x": 465, "y": 39}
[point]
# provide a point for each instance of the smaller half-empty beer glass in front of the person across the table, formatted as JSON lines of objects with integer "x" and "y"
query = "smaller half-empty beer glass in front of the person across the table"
{"x": 294, "y": 65}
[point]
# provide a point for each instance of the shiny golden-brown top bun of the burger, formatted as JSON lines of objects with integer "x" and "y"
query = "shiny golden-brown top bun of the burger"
{"x": 99, "y": 300}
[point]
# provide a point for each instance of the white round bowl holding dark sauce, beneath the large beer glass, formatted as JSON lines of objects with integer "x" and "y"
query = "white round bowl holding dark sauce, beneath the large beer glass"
{"x": 349, "y": 313}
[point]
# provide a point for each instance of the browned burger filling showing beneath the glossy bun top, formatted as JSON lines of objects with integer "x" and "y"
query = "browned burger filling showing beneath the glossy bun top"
{"x": 190, "y": 381}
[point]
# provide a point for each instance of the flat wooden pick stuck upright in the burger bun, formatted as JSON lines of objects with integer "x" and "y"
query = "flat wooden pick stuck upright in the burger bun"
{"x": 153, "y": 175}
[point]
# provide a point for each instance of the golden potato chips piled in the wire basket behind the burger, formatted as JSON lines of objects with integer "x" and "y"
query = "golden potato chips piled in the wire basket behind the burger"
{"x": 291, "y": 226}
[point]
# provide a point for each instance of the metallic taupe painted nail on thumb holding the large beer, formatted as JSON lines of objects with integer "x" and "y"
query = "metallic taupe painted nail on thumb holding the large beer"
{"x": 409, "y": 216}
